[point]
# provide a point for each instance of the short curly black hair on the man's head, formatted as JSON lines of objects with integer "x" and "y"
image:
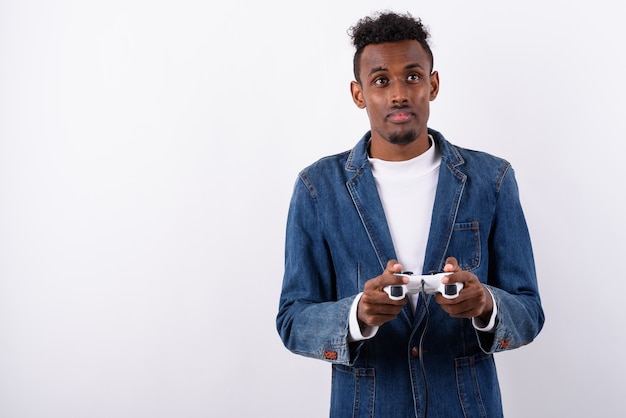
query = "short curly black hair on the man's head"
{"x": 387, "y": 27}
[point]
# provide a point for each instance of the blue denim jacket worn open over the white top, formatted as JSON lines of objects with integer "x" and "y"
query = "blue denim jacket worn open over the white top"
{"x": 337, "y": 239}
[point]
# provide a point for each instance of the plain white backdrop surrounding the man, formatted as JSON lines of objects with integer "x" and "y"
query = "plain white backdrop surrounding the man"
{"x": 147, "y": 154}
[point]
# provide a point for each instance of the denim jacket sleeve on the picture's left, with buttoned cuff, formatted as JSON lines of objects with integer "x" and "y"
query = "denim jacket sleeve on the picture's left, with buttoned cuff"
{"x": 311, "y": 321}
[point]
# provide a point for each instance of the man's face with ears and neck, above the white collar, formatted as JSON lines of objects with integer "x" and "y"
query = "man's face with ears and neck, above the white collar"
{"x": 396, "y": 88}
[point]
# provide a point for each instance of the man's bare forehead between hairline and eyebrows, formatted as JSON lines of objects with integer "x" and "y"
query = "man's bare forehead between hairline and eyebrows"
{"x": 391, "y": 55}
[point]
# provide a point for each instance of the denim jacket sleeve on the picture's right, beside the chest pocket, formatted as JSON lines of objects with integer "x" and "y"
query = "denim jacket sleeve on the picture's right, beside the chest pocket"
{"x": 512, "y": 277}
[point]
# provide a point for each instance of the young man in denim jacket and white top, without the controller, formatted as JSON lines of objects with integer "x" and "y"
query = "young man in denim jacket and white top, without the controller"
{"x": 404, "y": 198}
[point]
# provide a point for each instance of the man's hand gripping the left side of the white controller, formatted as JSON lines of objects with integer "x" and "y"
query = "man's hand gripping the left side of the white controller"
{"x": 375, "y": 307}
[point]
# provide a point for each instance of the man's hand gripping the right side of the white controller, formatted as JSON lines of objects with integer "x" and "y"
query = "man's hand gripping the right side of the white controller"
{"x": 474, "y": 300}
